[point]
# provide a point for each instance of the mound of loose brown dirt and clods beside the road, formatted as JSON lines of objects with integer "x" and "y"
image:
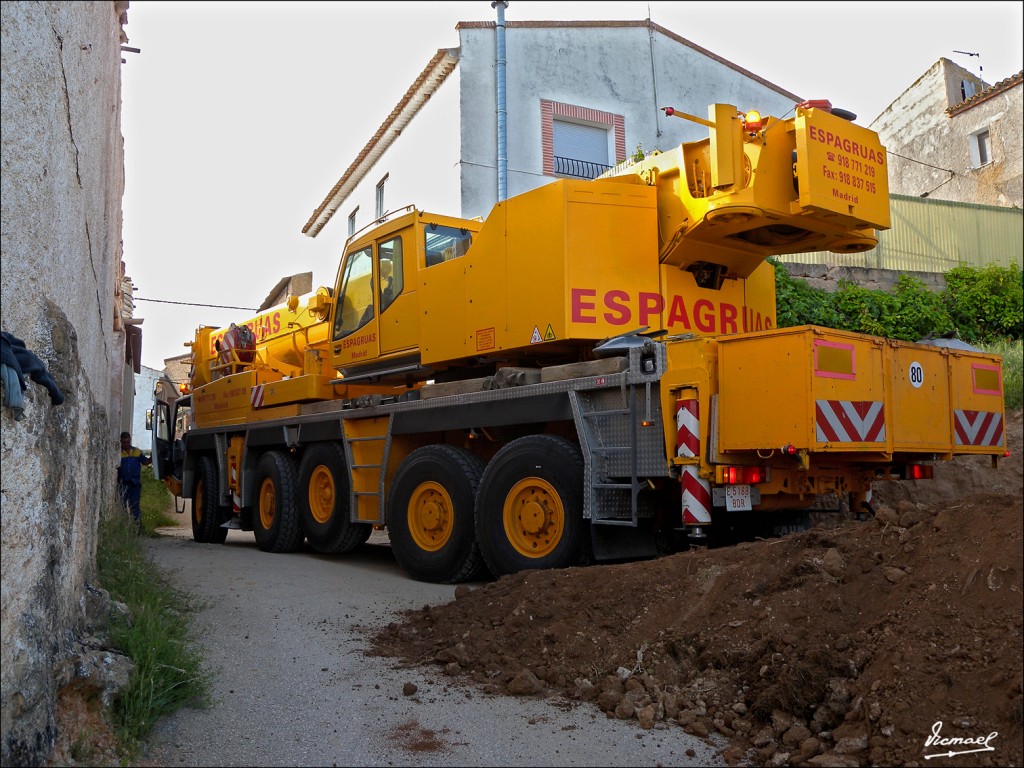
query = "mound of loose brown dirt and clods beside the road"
{"x": 875, "y": 643}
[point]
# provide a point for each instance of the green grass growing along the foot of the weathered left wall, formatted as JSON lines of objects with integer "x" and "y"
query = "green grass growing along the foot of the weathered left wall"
{"x": 158, "y": 635}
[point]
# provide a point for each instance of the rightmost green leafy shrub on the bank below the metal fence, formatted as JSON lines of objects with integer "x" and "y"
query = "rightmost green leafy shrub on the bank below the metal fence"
{"x": 986, "y": 305}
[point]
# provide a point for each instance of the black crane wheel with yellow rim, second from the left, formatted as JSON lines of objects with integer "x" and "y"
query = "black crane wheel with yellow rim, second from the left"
{"x": 276, "y": 522}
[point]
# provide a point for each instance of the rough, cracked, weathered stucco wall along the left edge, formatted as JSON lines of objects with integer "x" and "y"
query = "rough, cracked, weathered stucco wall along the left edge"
{"x": 62, "y": 189}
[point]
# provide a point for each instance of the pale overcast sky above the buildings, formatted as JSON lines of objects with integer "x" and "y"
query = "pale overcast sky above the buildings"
{"x": 240, "y": 117}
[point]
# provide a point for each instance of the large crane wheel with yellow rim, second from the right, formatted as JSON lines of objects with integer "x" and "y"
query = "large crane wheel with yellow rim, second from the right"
{"x": 431, "y": 516}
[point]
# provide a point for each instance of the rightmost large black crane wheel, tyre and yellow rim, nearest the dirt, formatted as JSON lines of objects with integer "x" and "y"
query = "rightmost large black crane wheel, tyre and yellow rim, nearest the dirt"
{"x": 530, "y": 507}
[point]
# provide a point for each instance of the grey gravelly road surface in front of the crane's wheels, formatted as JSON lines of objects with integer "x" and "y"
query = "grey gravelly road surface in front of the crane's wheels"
{"x": 285, "y": 635}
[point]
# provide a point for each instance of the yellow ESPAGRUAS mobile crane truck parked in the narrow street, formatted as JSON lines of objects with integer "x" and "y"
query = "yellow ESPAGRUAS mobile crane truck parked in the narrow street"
{"x": 591, "y": 373}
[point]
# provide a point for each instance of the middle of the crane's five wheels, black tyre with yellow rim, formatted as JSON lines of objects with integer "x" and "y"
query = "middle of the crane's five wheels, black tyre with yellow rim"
{"x": 324, "y": 501}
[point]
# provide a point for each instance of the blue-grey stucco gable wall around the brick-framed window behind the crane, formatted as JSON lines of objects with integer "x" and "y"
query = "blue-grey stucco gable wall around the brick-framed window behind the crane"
{"x": 628, "y": 71}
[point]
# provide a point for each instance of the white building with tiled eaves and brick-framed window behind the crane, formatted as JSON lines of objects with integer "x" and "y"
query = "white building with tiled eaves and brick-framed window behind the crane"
{"x": 579, "y": 97}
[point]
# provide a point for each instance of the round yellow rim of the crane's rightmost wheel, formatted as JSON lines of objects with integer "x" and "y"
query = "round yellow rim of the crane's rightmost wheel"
{"x": 534, "y": 518}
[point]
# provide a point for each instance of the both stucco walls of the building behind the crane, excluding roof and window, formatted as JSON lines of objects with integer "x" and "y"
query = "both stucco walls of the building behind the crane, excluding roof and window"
{"x": 446, "y": 160}
